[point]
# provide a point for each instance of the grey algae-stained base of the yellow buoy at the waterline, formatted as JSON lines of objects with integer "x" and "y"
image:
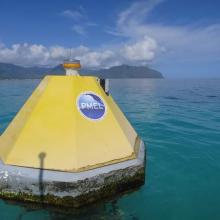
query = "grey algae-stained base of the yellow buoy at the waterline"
{"x": 71, "y": 189}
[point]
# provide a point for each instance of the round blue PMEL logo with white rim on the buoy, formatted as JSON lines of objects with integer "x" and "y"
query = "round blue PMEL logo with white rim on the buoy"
{"x": 91, "y": 106}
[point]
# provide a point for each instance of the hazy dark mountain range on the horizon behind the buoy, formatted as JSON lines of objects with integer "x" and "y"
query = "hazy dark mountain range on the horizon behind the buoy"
{"x": 11, "y": 71}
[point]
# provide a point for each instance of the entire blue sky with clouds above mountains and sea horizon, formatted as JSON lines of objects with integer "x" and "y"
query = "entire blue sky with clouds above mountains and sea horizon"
{"x": 180, "y": 38}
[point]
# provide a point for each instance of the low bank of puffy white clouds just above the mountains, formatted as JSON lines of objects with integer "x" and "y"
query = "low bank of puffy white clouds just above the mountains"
{"x": 37, "y": 54}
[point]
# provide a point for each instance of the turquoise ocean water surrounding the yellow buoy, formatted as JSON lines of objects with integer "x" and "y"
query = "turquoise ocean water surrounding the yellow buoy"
{"x": 179, "y": 120}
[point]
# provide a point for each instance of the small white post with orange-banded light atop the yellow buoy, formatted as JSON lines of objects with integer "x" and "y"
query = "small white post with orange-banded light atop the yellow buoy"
{"x": 71, "y": 66}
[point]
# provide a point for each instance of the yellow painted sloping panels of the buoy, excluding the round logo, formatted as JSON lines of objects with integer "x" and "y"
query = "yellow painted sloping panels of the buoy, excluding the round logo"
{"x": 50, "y": 122}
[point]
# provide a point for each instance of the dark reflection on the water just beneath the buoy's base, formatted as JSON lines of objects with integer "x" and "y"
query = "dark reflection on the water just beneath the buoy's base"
{"x": 108, "y": 210}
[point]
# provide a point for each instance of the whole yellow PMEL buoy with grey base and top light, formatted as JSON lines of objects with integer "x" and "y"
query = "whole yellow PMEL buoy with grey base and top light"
{"x": 70, "y": 144}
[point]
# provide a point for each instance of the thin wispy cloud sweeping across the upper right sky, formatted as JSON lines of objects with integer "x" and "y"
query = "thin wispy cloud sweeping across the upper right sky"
{"x": 190, "y": 42}
